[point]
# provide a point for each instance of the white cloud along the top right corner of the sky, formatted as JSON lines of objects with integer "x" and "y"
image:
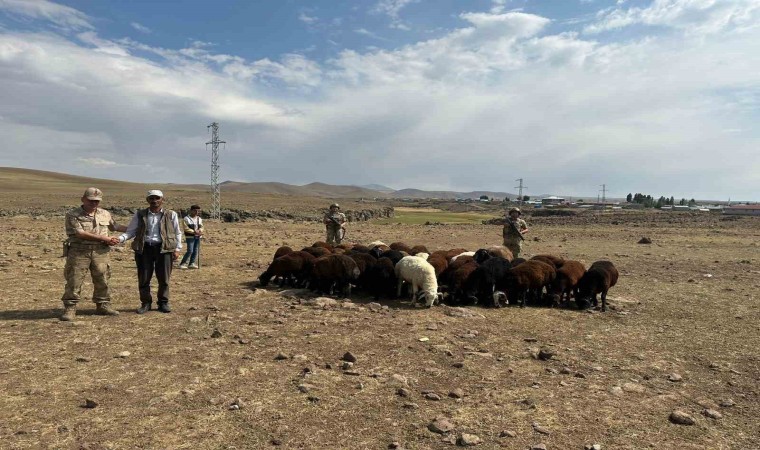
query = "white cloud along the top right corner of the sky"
{"x": 693, "y": 16}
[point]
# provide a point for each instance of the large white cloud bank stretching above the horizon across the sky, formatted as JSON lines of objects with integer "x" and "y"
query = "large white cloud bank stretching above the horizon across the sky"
{"x": 500, "y": 97}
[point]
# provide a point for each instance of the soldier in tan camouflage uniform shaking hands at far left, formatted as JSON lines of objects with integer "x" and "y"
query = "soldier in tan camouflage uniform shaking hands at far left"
{"x": 87, "y": 249}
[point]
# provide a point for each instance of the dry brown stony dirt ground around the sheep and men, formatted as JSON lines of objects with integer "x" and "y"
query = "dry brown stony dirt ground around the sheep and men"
{"x": 686, "y": 307}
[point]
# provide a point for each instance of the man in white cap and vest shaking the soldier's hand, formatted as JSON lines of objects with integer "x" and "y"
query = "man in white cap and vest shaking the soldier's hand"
{"x": 158, "y": 241}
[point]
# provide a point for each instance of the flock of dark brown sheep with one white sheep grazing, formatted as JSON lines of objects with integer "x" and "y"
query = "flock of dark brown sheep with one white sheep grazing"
{"x": 488, "y": 276}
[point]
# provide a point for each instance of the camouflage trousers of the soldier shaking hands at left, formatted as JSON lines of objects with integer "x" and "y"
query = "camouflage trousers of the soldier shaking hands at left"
{"x": 81, "y": 260}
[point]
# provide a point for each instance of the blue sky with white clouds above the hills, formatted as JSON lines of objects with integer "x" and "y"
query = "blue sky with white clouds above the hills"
{"x": 660, "y": 97}
